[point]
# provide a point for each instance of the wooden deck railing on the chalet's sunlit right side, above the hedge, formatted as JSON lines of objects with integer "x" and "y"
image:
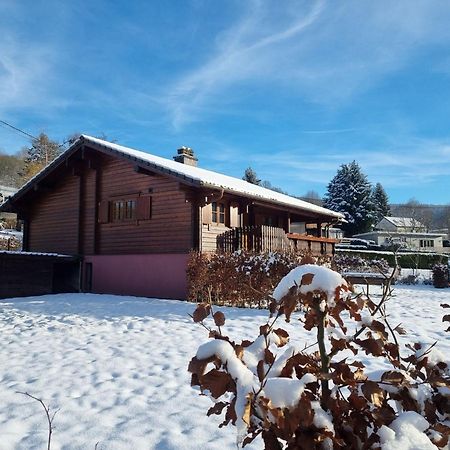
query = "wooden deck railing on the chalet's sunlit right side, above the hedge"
{"x": 269, "y": 239}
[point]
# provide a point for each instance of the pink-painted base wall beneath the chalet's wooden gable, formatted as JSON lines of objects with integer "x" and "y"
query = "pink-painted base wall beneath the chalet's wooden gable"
{"x": 155, "y": 275}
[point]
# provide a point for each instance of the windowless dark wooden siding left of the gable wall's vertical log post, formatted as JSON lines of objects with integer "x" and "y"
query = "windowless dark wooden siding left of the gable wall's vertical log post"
{"x": 53, "y": 225}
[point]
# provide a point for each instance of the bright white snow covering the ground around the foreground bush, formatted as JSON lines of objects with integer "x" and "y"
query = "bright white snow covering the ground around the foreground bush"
{"x": 116, "y": 368}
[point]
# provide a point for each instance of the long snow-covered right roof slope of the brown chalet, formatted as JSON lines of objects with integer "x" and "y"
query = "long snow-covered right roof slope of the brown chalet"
{"x": 208, "y": 178}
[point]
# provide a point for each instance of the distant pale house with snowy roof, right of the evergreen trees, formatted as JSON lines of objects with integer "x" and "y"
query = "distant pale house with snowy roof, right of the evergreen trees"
{"x": 405, "y": 232}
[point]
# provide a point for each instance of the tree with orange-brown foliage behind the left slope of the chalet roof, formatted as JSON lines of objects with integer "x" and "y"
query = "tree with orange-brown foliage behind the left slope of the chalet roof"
{"x": 41, "y": 153}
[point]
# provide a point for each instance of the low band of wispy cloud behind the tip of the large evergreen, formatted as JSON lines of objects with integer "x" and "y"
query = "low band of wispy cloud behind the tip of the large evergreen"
{"x": 395, "y": 164}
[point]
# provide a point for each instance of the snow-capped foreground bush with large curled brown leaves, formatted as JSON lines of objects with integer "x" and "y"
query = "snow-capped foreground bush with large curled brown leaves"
{"x": 321, "y": 396}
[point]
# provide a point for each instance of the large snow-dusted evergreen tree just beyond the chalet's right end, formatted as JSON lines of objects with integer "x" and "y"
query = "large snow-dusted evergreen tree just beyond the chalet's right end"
{"x": 349, "y": 193}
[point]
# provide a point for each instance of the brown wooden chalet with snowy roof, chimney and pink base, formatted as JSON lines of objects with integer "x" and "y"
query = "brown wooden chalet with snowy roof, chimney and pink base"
{"x": 132, "y": 218}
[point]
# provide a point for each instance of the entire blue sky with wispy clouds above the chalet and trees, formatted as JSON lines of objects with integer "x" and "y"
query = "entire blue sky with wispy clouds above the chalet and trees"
{"x": 293, "y": 89}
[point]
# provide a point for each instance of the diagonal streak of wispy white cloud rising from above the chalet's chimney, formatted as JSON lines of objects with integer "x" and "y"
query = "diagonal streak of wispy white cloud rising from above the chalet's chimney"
{"x": 242, "y": 52}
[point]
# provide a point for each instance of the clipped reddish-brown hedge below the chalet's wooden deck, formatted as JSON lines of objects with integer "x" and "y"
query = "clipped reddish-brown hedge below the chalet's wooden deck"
{"x": 241, "y": 278}
